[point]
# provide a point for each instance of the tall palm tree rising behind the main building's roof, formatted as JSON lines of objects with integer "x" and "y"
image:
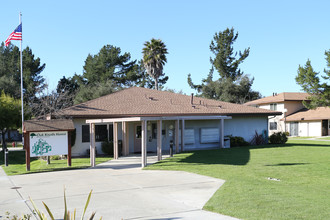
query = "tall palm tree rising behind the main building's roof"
{"x": 154, "y": 58}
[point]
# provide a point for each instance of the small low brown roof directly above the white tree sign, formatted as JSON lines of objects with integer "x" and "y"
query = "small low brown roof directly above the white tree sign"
{"x": 48, "y": 125}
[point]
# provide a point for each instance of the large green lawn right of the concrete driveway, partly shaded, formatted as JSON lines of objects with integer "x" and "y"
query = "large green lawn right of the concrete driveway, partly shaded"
{"x": 303, "y": 168}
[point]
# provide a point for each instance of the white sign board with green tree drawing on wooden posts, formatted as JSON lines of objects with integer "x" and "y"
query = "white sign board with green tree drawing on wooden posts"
{"x": 48, "y": 143}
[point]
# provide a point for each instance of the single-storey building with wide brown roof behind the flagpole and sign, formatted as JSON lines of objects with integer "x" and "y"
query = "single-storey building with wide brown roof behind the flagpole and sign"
{"x": 144, "y": 118}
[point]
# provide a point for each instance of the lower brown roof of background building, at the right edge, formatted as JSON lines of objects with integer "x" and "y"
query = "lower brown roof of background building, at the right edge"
{"x": 320, "y": 113}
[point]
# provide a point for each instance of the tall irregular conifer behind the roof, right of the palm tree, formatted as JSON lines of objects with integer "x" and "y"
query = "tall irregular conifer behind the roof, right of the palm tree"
{"x": 232, "y": 85}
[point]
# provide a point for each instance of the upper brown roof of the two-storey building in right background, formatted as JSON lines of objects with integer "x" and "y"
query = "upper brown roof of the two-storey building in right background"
{"x": 284, "y": 96}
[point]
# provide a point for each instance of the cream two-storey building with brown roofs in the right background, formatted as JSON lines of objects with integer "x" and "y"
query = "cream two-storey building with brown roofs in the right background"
{"x": 296, "y": 119}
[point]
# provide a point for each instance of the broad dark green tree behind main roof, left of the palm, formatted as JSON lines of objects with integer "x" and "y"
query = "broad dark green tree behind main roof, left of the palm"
{"x": 106, "y": 72}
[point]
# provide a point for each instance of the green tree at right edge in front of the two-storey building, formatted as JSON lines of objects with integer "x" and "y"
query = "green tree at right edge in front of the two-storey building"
{"x": 311, "y": 83}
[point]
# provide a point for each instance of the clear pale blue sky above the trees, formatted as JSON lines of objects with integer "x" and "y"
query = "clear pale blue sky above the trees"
{"x": 281, "y": 35}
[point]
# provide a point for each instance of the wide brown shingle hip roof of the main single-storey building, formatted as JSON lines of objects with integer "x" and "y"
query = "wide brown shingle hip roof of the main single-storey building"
{"x": 137, "y": 101}
